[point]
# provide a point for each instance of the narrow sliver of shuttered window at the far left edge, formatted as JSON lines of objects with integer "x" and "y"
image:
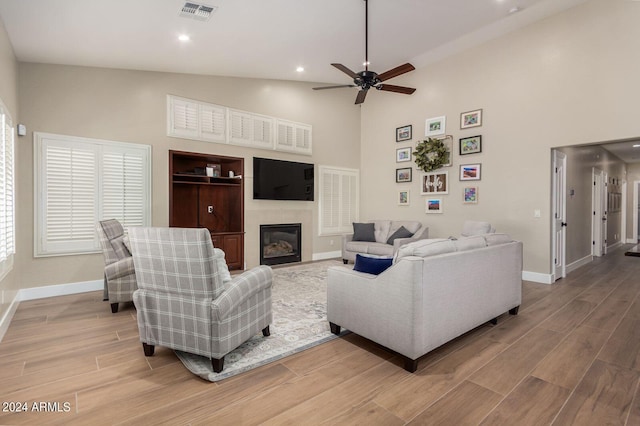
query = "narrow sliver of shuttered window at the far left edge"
{"x": 7, "y": 192}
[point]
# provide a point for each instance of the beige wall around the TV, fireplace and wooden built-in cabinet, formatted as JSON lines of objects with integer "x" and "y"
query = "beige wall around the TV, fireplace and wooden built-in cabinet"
{"x": 130, "y": 106}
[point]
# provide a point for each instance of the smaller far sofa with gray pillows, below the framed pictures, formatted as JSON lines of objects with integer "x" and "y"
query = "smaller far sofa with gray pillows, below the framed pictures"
{"x": 383, "y": 229}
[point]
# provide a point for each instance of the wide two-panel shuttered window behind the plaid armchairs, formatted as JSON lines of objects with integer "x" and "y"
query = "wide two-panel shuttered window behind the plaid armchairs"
{"x": 81, "y": 181}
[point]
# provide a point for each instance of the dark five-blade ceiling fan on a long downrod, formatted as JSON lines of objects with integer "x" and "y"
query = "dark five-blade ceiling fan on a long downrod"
{"x": 369, "y": 79}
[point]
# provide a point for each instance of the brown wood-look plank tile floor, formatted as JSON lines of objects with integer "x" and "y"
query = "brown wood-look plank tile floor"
{"x": 571, "y": 356}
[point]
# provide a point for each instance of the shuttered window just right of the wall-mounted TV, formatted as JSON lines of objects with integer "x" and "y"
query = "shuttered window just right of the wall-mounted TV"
{"x": 339, "y": 200}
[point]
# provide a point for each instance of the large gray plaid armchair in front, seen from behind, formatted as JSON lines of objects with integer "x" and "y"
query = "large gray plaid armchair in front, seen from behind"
{"x": 184, "y": 304}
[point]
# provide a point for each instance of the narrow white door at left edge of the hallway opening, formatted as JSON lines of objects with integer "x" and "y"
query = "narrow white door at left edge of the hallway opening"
{"x": 559, "y": 216}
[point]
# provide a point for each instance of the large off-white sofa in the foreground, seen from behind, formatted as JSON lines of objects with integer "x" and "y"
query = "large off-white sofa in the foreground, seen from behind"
{"x": 435, "y": 291}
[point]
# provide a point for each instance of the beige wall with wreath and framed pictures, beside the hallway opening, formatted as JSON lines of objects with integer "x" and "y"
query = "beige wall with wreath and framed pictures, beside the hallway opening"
{"x": 570, "y": 79}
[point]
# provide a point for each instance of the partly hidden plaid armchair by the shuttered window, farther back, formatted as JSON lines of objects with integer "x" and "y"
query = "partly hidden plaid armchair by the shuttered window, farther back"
{"x": 119, "y": 275}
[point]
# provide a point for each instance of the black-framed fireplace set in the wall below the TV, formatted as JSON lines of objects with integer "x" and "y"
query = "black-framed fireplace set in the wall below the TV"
{"x": 280, "y": 243}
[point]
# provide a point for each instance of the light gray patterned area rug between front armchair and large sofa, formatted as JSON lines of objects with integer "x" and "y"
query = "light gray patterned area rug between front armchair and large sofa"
{"x": 299, "y": 296}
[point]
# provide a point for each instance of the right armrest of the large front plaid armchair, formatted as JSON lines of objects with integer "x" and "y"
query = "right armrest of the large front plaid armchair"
{"x": 240, "y": 289}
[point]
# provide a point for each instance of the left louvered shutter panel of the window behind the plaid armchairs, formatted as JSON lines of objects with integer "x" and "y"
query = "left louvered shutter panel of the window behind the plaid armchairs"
{"x": 70, "y": 197}
